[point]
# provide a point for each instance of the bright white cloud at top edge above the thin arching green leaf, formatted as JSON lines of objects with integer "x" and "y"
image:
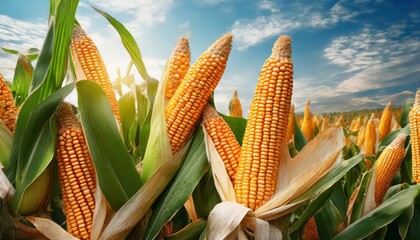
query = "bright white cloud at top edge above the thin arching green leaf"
{"x": 146, "y": 12}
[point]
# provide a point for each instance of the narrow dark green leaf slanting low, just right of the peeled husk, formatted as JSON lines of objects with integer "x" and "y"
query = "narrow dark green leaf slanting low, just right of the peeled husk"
{"x": 316, "y": 205}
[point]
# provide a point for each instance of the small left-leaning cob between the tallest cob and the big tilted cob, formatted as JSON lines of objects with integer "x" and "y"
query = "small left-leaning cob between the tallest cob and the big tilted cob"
{"x": 223, "y": 138}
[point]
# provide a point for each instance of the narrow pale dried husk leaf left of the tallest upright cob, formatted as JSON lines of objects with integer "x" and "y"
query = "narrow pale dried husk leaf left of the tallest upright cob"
{"x": 221, "y": 178}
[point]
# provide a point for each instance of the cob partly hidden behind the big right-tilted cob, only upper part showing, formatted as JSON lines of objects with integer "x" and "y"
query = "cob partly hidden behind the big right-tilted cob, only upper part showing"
{"x": 178, "y": 66}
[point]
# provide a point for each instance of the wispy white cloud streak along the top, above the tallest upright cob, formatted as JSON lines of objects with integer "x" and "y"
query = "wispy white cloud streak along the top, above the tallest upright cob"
{"x": 292, "y": 17}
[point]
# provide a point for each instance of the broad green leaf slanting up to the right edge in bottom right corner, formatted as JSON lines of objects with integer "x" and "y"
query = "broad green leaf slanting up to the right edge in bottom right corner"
{"x": 381, "y": 216}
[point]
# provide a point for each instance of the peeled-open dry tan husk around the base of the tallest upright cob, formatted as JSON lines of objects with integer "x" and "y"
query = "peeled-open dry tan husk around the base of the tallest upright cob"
{"x": 296, "y": 176}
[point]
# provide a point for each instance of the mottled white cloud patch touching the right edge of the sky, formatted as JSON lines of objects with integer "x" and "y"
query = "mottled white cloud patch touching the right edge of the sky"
{"x": 375, "y": 58}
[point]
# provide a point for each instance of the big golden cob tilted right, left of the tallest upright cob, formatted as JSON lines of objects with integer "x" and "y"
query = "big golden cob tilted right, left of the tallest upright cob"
{"x": 189, "y": 100}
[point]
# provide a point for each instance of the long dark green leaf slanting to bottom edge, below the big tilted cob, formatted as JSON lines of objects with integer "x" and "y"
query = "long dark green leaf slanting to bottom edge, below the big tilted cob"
{"x": 194, "y": 167}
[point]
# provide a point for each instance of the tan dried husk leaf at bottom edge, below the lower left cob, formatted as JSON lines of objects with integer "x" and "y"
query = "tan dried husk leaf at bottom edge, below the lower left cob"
{"x": 50, "y": 229}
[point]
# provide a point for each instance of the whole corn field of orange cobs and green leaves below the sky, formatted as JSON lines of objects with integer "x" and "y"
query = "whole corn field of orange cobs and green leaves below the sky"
{"x": 159, "y": 161}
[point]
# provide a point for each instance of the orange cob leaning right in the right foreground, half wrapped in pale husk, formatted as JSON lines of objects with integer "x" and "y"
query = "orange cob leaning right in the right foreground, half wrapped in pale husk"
{"x": 387, "y": 165}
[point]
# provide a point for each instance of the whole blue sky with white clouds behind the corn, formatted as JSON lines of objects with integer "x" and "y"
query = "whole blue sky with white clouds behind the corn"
{"x": 347, "y": 54}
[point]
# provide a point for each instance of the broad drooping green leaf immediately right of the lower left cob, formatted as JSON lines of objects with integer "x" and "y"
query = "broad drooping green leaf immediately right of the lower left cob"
{"x": 116, "y": 172}
